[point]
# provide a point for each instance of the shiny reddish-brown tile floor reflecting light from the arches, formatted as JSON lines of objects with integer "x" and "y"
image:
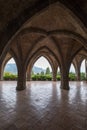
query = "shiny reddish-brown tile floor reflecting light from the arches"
{"x": 43, "y": 106}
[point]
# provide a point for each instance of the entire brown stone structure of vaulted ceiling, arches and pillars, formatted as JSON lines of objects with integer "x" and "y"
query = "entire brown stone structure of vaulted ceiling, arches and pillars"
{"x": 55, "y": 32}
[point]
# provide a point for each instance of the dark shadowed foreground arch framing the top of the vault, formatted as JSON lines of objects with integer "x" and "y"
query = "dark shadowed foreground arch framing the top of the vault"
{"x": 14, "y": 13}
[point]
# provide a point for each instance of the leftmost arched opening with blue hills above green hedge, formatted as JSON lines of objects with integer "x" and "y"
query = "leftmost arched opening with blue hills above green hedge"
{"x": 10, "y": 71}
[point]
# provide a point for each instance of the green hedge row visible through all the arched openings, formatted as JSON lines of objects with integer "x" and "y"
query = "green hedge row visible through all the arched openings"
{"x": 43, "y": 77}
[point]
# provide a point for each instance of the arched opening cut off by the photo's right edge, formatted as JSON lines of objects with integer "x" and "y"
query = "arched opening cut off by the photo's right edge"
{"x": 83, "y": 70}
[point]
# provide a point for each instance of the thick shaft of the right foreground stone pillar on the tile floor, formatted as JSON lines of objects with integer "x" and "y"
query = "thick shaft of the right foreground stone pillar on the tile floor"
{"x": 64, "y": 78}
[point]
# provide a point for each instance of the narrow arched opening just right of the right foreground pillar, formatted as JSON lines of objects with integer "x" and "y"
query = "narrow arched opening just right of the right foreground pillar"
{"x": 72, "y": 73}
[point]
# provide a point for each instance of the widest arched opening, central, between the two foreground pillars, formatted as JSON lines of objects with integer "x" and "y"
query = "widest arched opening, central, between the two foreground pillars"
{"x": 41, "y": 70}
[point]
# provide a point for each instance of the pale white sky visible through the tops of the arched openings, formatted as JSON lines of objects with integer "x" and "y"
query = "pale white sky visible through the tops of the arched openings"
{"x": 43, "y": 63}
